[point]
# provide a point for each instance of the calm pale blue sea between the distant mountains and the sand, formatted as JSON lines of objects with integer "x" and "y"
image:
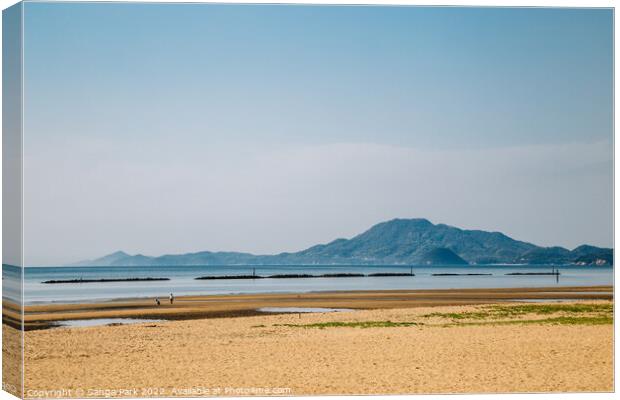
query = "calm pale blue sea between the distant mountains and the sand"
{"x": 182, "y": 280}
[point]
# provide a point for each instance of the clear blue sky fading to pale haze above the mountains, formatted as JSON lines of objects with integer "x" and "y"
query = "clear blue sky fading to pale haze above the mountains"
{"x": 172, "y": 128}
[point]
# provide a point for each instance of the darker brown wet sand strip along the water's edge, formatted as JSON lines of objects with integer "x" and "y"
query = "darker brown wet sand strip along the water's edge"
{"x": 43, "y": 316}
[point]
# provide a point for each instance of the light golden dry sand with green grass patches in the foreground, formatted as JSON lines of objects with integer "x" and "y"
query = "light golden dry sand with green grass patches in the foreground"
{"x": 485, "y": 346}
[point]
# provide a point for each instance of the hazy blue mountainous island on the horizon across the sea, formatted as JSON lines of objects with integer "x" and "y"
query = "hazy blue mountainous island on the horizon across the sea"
{"x": 395, "y": 242}
